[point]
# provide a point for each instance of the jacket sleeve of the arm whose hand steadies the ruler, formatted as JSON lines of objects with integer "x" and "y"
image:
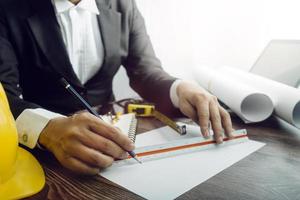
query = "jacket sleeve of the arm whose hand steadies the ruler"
{"x": 144, "y": 69}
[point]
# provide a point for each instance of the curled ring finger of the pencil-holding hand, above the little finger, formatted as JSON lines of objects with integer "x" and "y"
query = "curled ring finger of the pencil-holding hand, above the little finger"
{"x": 91, "y": 157}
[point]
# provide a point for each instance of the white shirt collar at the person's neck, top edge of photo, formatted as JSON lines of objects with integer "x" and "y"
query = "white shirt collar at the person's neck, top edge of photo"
{"x": 65, "y": 5}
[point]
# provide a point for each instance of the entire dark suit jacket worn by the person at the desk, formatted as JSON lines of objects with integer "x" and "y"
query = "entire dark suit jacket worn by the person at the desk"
{"x": 33, "y": 57}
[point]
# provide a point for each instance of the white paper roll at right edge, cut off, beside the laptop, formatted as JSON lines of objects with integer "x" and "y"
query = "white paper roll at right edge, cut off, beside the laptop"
{"x": 286, "y": 99}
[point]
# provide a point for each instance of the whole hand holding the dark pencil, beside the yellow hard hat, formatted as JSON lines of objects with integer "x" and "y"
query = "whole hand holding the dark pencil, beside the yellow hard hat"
{"x": 85, "y": 144}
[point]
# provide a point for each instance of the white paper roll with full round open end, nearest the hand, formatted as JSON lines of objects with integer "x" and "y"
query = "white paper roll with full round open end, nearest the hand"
{"x": 250, "y": 104}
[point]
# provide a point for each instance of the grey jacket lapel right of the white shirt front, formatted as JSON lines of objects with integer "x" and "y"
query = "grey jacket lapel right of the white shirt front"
{"x": 110, "y": 28}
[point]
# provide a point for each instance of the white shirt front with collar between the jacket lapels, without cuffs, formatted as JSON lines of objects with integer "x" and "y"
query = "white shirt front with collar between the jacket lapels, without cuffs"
{"x": 82, "y": 37}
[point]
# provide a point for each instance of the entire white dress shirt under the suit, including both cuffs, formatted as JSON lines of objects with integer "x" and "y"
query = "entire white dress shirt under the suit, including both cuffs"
{"x": 82, "y": 37}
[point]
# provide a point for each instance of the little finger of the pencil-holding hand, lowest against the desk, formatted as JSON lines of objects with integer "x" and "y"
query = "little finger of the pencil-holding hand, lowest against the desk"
{"x": 79, "y": 167}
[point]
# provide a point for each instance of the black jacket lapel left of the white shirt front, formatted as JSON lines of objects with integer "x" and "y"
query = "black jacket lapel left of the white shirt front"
{"x": 46, "y": 30}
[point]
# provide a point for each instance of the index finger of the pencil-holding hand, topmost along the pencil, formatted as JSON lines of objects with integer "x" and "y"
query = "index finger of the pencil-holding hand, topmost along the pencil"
{"x": 108, "y": 131}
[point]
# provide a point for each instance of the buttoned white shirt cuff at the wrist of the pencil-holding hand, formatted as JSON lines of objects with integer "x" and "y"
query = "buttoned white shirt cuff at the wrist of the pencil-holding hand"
{"x": 31, "y": 123}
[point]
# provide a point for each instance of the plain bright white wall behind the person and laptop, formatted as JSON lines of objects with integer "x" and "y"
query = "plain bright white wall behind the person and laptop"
{"x": 188, "y": 33}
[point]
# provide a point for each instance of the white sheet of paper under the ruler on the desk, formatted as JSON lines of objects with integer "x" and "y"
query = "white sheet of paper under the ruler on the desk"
{"x": 170, "y": 177}
